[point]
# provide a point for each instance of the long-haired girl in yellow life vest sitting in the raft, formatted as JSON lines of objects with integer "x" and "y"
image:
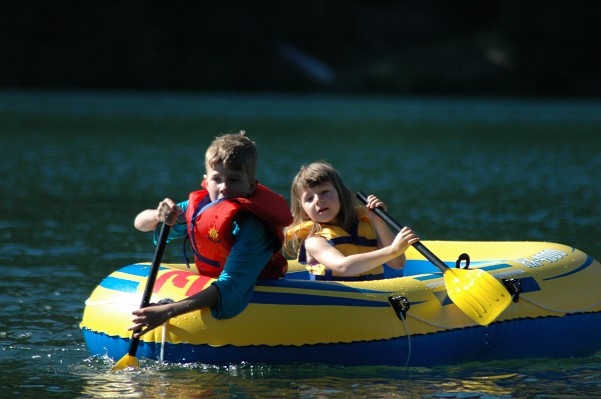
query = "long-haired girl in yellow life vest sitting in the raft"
{"x": 336, "y": 239}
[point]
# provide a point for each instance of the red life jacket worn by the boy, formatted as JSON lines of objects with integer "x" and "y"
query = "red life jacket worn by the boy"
{"x": 210, "y": 228}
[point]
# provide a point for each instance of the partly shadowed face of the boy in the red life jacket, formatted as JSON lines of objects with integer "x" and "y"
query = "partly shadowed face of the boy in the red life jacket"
{"x": 223, "y": 182}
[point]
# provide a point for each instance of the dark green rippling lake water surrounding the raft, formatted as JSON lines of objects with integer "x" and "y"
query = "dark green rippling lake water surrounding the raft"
{"x": 77, "y": 167}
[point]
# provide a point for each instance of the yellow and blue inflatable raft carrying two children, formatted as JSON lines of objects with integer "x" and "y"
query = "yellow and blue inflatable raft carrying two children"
{"x": 401, "y": 320}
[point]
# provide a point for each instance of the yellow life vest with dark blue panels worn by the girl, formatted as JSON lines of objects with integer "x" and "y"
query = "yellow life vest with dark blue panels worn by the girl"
{"x": 361, "y": 239}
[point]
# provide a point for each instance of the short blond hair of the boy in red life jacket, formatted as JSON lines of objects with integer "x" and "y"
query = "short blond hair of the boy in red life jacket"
{"x": 236, "y": 151}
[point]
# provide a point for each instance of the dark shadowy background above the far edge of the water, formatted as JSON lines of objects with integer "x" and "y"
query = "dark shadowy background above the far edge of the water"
{"x": 546, "y": 48}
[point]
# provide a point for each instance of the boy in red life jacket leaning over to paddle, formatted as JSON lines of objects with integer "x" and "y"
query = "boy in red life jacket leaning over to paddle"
{"x": 235, "y": 227}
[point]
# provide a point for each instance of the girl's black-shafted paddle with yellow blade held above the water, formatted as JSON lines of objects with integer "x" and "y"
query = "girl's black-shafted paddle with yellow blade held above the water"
{"x": 478, "y": 294}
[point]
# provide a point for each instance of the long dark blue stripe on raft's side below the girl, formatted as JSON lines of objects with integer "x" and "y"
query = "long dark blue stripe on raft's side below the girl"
{"x": 279, "y": 298}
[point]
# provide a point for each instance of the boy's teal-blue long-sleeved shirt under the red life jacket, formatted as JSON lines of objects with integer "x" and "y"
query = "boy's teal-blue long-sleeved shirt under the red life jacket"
{"x": 251, "y": 251}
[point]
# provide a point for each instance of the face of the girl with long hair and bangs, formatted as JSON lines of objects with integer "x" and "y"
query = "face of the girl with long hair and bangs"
{"x": 321, "y": 203}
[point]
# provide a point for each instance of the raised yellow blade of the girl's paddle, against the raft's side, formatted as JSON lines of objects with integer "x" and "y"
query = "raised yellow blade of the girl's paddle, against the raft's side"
{"x": 478, "y": 294}
